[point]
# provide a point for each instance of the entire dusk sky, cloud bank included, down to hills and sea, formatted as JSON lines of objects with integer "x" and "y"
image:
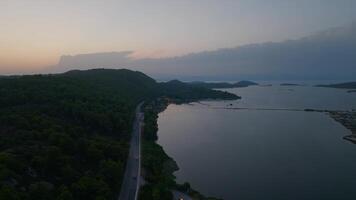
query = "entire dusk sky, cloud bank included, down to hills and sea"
{"x": 210, "y": 39}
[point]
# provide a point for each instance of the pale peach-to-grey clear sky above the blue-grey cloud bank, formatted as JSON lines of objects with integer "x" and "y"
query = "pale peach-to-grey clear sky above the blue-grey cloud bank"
{"x": 35, "y": 33}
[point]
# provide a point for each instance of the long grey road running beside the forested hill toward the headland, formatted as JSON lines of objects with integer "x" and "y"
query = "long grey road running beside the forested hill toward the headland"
{"x": 131, "y": 182}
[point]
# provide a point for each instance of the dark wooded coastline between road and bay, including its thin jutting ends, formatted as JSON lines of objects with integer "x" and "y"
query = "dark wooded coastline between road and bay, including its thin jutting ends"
{"x": 159, "y": 178}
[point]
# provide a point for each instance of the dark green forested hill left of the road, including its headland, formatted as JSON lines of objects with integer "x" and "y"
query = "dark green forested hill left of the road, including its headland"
{"x": 65, "y": 136}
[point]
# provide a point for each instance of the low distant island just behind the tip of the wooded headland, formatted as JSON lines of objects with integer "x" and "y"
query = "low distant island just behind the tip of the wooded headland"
{"x": 217, "y": 85}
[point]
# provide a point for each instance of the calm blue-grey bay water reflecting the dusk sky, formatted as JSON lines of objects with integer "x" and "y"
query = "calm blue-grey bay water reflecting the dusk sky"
{"x": 263, "y": 154}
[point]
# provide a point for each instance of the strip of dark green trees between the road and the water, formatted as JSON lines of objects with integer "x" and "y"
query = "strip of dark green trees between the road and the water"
{"x": 158, "y": 166}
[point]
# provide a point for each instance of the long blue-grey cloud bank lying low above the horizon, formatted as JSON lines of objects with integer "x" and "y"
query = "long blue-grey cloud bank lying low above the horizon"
{"x": 330, "y": 54}
